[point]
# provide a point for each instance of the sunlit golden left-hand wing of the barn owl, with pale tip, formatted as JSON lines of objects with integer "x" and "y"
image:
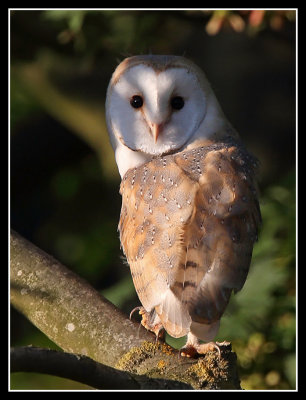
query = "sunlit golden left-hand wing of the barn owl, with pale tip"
{"x": 157, "y": 202}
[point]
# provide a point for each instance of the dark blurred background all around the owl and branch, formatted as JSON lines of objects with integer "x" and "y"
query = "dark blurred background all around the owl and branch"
{"x": 64, "y": 184}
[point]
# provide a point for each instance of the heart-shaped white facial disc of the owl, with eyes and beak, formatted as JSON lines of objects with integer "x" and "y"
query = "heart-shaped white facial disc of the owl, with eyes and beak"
{"x": 160, "y": 124}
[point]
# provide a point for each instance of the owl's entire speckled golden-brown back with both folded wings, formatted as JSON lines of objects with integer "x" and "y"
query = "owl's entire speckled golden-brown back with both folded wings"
{"x": 188, "y": 225}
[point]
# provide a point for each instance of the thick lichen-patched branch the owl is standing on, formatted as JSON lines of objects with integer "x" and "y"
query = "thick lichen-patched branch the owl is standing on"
{"x": 80, "y": 321}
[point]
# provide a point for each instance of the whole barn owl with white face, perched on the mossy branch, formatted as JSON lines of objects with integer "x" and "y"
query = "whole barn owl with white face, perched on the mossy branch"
{"x": 190, "y": 213}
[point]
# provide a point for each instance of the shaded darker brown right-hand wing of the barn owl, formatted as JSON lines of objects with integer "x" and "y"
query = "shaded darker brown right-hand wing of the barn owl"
{"x": 221, "y": 234}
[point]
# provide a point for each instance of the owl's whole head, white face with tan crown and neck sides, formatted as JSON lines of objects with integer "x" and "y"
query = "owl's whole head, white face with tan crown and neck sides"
{"x": 157, "y": 105}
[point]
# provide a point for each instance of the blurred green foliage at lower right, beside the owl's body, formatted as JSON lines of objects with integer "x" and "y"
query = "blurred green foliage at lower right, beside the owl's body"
{"x": 261, "y": 318}
